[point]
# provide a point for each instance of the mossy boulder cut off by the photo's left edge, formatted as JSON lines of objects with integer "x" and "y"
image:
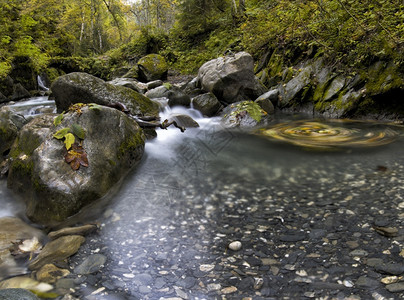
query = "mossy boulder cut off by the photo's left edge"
{"x": 10, "y": 124}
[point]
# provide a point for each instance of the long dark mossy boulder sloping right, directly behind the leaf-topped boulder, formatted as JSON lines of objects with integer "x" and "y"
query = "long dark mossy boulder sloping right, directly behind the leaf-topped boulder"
{"x": 84, "y": 88}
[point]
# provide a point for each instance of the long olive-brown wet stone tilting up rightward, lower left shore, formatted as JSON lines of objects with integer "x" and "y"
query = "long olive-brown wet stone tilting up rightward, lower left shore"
{"x": 57, "y": 250}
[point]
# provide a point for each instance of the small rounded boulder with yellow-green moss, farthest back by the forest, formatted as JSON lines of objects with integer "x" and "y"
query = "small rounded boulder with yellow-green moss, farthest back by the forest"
{"x": 152, "y": 67}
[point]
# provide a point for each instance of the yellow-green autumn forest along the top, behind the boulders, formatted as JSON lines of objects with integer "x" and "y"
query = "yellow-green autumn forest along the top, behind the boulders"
{"x": 101, "y": 36}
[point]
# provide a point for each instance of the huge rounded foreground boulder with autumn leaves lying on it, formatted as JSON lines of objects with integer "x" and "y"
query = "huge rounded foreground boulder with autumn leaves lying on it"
{"x": 51, "y": 188}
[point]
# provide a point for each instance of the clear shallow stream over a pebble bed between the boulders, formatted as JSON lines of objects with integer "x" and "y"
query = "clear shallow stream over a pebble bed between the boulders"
{"x": 299, "y": 212}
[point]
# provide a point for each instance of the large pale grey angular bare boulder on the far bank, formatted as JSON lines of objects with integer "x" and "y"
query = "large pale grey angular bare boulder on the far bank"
{"x": 231, "y": 78}
